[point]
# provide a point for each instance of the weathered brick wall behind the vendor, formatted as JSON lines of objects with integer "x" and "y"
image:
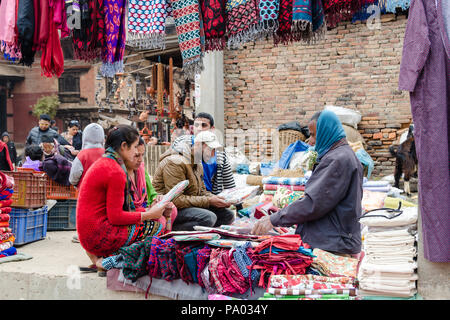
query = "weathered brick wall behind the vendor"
{"x": 353, "y": 67}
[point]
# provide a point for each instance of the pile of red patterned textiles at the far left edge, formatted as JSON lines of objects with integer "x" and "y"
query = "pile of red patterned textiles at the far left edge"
{"x": 7, "y": 237}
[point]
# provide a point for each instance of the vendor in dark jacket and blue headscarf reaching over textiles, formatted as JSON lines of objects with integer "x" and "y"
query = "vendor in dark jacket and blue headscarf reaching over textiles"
{"x": 327, "y": 216}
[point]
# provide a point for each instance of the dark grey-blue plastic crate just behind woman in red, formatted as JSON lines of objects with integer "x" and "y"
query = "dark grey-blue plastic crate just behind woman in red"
{"x": 62, "y": 216}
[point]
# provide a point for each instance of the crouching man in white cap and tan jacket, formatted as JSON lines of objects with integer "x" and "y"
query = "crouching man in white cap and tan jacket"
{"x": 196, "y": 206}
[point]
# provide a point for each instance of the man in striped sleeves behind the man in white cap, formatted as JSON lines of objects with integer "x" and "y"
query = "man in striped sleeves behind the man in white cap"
{"x": 217, "y": 172}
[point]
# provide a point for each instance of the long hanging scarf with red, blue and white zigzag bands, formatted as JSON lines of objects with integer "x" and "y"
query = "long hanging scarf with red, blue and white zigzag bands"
{"x": 188, "y": 25}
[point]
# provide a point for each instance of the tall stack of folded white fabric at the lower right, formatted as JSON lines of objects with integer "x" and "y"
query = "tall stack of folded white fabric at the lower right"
{"x": 389, "y": 243}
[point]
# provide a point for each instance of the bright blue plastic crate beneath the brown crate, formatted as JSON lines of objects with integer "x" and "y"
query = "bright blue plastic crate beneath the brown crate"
{"x": 28, "y": 225}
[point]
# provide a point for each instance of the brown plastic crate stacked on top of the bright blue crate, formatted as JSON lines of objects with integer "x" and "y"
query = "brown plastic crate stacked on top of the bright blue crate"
{"x": 29, "y": 188}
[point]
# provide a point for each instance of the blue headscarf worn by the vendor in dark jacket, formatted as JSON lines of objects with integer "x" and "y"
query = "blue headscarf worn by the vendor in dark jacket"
{"x": 329, "y": 131}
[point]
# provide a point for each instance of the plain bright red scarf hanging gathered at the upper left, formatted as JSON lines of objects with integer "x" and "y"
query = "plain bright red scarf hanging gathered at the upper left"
{"x": 52, "y": 59}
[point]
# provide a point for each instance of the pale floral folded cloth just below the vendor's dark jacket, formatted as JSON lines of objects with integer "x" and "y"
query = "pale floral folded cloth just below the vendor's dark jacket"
{"x": 333, "y": 265}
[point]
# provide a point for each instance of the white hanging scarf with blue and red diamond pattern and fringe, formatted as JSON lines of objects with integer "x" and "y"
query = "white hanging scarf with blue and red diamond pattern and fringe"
{"x": 147, "y": 23}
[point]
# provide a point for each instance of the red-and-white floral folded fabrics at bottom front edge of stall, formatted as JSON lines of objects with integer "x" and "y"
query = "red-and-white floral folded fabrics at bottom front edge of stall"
{"x": 310, "y": 287}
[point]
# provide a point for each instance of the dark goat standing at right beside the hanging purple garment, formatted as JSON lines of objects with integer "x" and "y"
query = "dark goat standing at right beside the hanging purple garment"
{"x": 405, "y": 160}
